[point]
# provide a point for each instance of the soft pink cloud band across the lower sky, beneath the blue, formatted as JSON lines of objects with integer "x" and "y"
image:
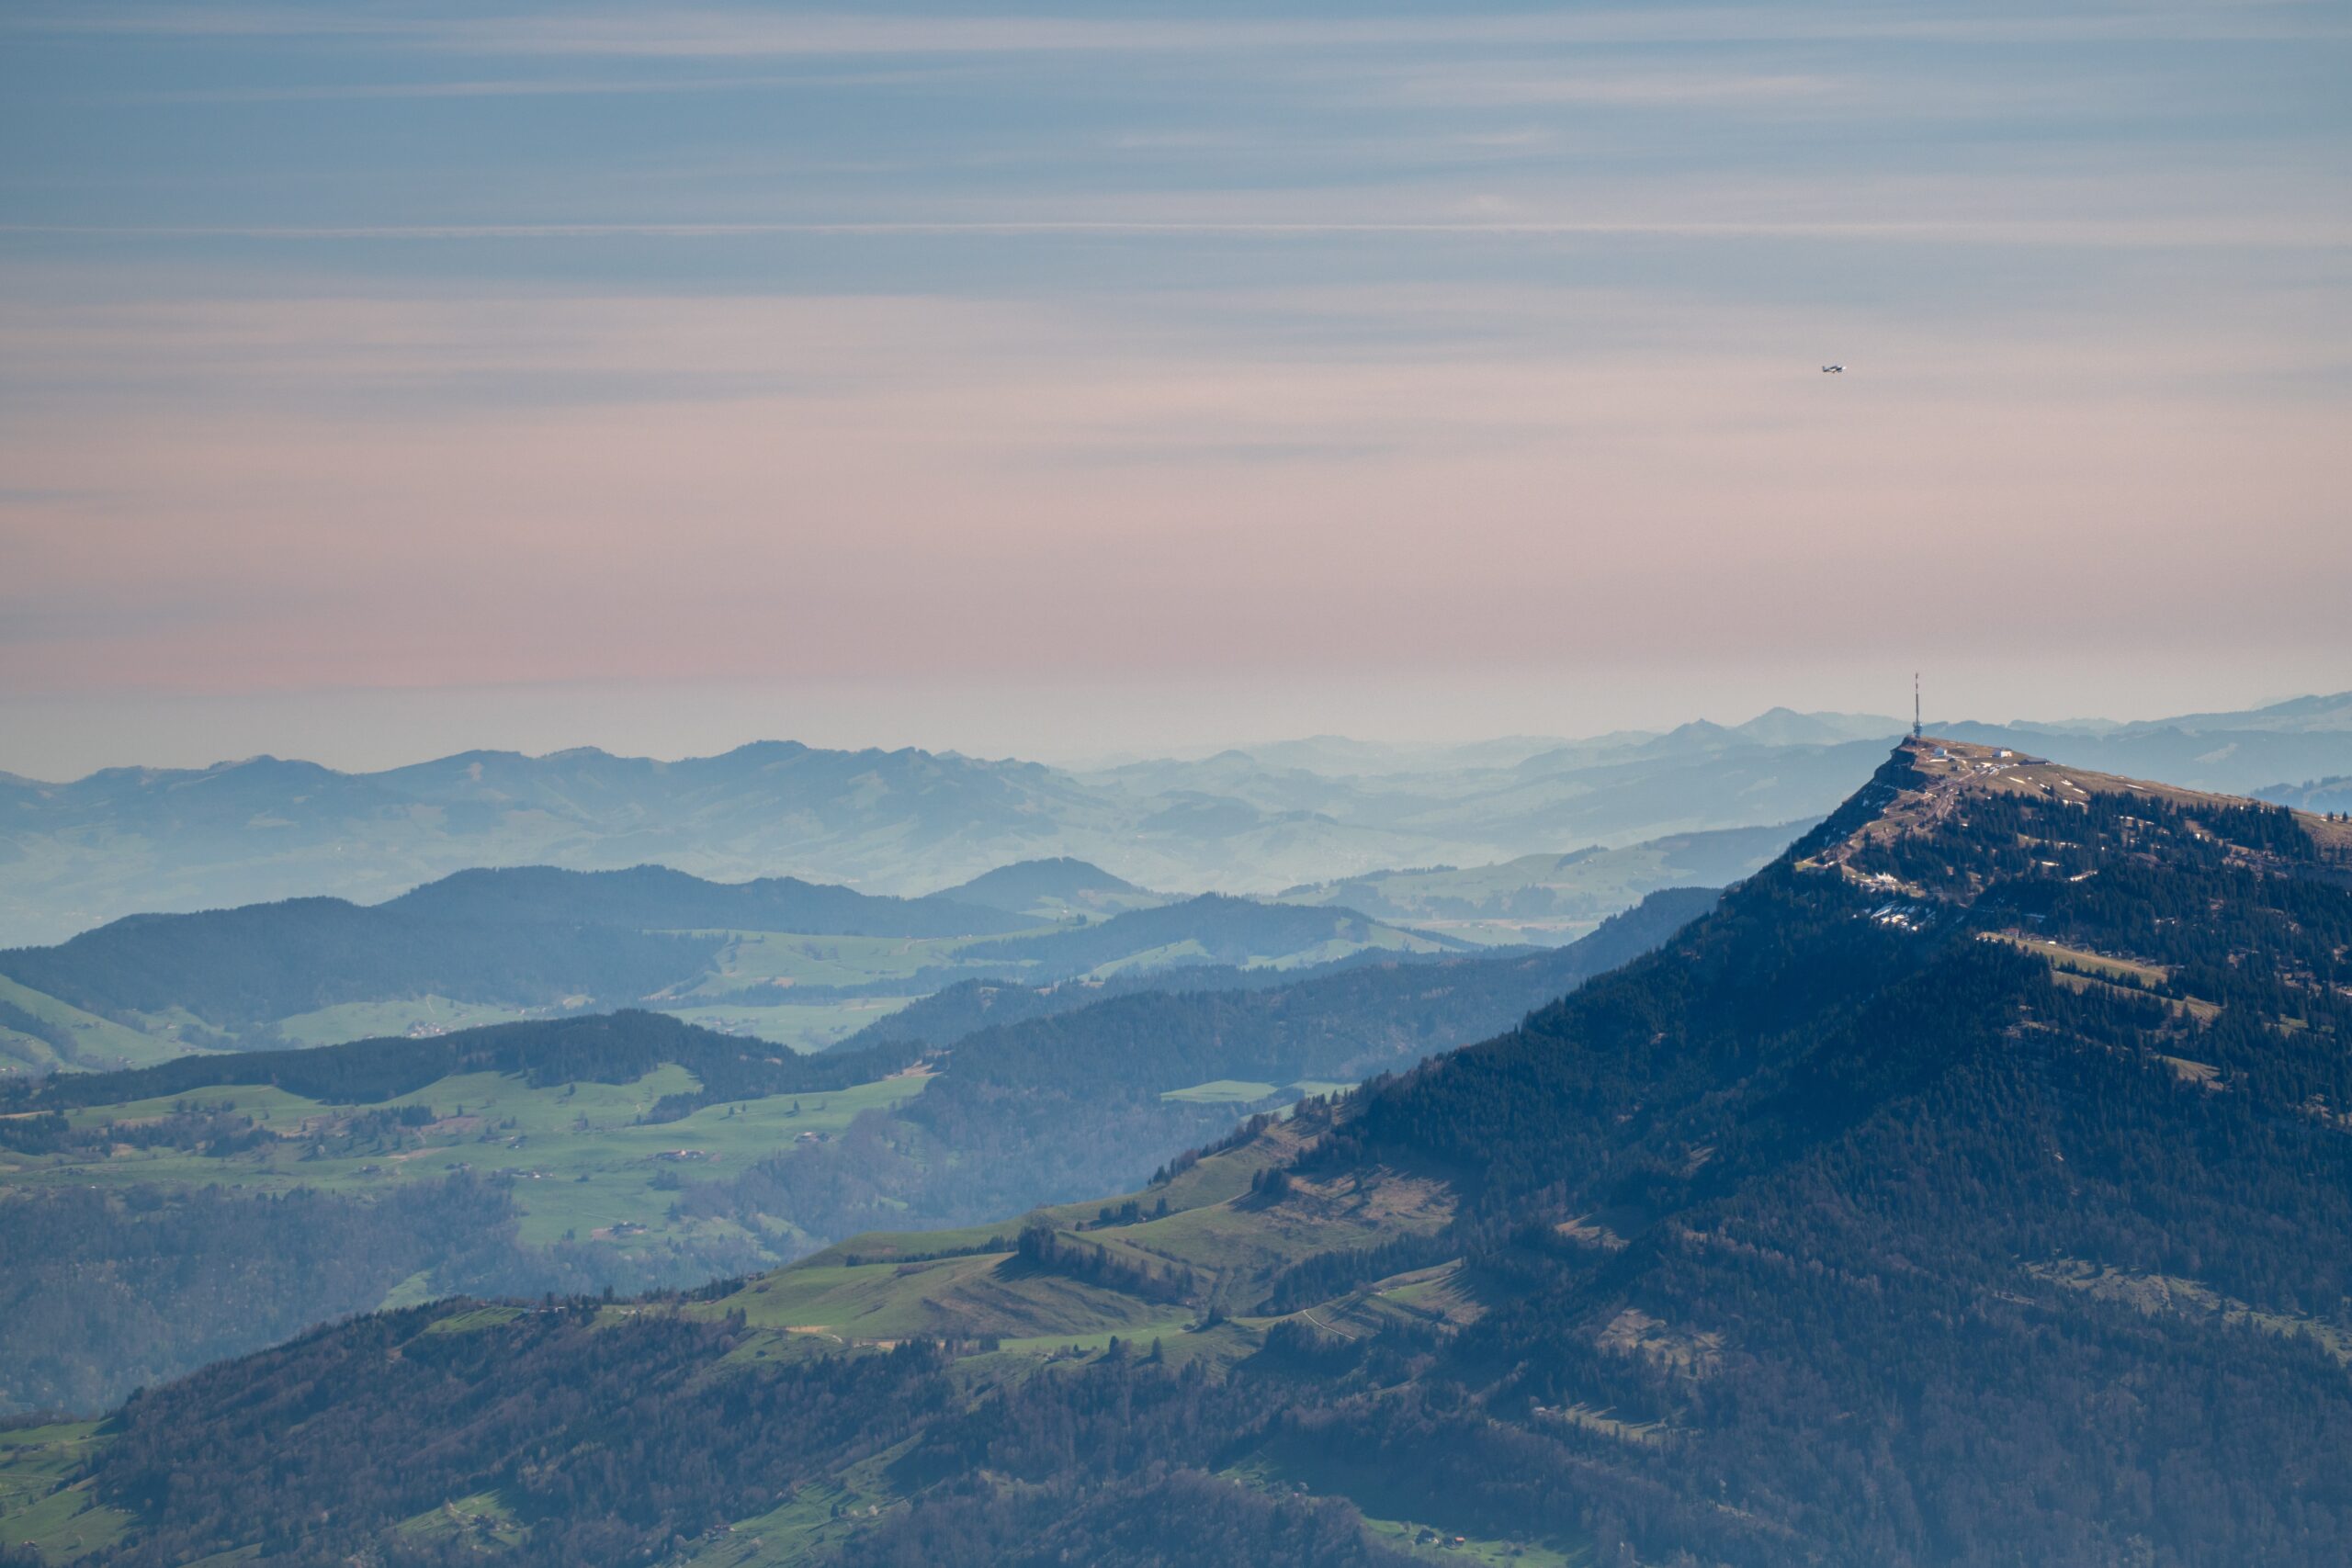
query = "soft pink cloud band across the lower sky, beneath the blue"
{"x": 881, "y": 488}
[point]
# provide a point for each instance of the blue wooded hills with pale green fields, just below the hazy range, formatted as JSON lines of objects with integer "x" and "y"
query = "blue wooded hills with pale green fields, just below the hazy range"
{"x": 780, "y": 960}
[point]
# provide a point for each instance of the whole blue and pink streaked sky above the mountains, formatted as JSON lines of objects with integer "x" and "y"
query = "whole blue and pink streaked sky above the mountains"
{"x": 389, "y": 380}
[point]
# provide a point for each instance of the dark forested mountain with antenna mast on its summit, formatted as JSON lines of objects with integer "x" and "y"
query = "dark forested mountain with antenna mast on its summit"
{"x": 1975, "y": 1186}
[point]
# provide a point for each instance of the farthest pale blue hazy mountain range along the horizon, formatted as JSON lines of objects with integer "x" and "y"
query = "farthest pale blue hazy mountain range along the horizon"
{"x": 173, "y": 840}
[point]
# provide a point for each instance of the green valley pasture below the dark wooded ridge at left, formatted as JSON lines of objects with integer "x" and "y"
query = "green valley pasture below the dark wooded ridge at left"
{"x": 582, "y": 1162}
